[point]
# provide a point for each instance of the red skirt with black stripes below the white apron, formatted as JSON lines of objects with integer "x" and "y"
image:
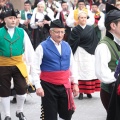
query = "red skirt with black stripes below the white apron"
{"x": 88, "y": 86}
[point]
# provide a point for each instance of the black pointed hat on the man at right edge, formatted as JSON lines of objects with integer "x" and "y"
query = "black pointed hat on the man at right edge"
{"x": 112, "y": 14}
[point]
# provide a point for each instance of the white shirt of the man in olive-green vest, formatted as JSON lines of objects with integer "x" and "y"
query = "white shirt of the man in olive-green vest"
{"x": 102, "y": 58}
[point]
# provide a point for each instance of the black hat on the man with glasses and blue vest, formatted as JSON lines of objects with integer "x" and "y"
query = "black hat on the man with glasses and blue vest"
{"x": 57, "y": 24}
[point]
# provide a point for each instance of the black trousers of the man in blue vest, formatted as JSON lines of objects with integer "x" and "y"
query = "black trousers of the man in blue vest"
{"x": 55, "y": 102}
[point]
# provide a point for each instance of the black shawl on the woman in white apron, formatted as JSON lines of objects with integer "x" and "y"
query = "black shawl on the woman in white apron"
{"x": 85, "y": 38}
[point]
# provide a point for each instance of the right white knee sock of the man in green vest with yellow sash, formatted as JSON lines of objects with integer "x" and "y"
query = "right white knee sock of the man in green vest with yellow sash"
{"x": 20, "y": 102}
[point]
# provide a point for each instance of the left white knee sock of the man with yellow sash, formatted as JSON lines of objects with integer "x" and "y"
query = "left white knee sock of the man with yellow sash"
{"x": 6, "y": 105}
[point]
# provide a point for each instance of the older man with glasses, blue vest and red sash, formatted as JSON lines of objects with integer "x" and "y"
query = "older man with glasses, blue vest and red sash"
{"x": 54, "y": 62}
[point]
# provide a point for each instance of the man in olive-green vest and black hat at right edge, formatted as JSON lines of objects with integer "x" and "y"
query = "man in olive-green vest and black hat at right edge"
{"x": 107, "y": 54}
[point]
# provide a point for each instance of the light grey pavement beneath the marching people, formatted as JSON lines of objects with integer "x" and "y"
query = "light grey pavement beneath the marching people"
{"x": 87, "y": 109}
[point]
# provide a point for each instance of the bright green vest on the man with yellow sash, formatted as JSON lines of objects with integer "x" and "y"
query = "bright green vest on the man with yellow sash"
{"x": 11, "y": 46}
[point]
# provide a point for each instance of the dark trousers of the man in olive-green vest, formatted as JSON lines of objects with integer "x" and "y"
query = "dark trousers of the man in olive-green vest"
{"x": 105, "y": 98}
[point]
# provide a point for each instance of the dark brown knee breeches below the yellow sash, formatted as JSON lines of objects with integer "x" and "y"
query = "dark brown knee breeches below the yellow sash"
{"x": 6, "y": 74}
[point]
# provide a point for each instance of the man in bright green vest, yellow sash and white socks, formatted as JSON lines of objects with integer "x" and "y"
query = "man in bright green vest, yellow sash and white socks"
{"x": 15, "y": 43}
